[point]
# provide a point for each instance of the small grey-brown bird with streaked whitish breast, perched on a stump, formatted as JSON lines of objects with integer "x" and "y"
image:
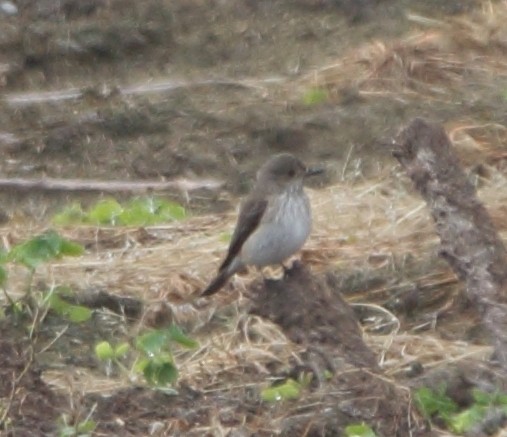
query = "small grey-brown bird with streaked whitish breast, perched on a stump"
{"x": 274, "y": 220}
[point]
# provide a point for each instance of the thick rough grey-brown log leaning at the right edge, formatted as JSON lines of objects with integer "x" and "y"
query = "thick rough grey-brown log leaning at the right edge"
{"x": 469, "y": 241}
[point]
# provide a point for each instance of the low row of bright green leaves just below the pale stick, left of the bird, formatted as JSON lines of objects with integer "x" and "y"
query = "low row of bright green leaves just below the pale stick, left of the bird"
{"x": 139, "y": 211}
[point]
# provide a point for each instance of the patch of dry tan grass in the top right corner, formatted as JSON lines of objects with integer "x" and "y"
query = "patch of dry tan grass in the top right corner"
{"x": 431, "y": 64}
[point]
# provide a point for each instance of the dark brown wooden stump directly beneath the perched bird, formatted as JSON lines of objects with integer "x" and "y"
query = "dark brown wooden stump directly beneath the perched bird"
{"x": 311, "y": 312}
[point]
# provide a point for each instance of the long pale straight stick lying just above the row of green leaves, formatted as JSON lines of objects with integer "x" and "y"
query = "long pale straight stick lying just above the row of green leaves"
{"x": 50, "y": 184}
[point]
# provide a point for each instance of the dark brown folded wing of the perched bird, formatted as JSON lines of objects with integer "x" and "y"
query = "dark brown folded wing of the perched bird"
{"x": 250, "y": 215}
